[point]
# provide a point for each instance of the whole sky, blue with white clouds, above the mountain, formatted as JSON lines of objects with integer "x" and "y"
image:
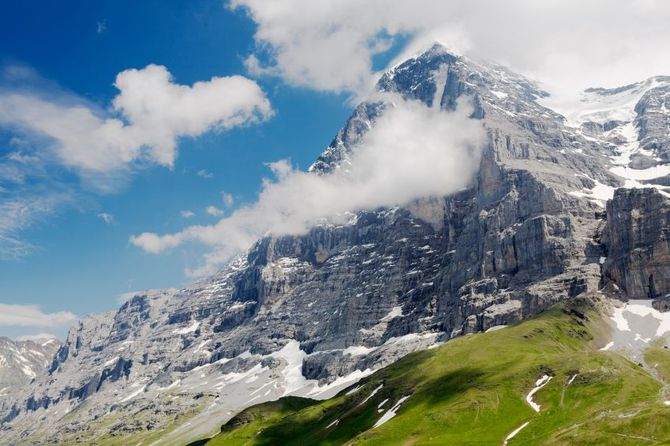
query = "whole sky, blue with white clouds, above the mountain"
{"x": 119, "y": 119}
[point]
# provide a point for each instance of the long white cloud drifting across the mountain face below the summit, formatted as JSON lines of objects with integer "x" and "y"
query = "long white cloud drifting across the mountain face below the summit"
{"x": 411, "y": 152}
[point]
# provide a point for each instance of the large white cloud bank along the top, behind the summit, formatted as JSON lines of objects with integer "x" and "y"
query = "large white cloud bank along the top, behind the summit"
{"x": 568, "y": 44}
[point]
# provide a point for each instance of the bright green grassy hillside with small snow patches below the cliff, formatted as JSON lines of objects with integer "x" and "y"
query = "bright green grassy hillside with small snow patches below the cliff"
{"x": 472, "y": 390}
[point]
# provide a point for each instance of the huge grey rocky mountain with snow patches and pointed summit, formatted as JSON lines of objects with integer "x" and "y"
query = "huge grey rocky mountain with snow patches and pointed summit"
{"x": 562, "y": 204}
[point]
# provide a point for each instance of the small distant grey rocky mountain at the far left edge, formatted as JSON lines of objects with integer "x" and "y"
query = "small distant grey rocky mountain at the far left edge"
{"x": 22, "y": 361}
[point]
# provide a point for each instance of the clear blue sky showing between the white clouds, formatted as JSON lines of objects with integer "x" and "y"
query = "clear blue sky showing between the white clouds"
{"x": 78, "y": 262}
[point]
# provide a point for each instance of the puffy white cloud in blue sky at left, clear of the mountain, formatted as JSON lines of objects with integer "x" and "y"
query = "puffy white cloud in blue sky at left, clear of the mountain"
{"x": 147, "y": 117}
